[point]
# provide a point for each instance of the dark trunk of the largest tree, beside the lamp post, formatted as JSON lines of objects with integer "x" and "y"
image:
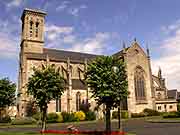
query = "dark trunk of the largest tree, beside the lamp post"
{"x": 108, "y": 119}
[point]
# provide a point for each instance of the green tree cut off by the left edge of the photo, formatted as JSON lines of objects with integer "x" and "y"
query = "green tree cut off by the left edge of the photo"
{"x": 7, "y": 94}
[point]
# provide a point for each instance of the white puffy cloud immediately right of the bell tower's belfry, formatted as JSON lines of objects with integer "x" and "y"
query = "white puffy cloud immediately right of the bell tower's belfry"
{"x": 54, "y": 31}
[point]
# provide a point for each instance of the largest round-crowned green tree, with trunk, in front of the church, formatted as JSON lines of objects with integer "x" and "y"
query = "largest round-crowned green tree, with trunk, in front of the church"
{"x": 108, "y": 87}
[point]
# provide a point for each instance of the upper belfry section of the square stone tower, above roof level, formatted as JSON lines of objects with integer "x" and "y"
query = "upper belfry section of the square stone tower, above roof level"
{"x": 32, "y": 38}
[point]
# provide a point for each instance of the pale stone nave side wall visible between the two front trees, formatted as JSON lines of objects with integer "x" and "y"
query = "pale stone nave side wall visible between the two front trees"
{"x": 75, "y": 75}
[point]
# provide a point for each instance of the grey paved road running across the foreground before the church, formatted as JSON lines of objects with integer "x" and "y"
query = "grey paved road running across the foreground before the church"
{"x": 140, "y": 127}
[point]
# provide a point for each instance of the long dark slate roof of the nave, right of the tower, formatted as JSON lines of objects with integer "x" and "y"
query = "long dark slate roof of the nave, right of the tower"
{"x": 61, "y": 55}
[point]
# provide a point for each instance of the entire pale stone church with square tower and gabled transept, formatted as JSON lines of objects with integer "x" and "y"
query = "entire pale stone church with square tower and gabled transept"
{"x": 146, "y": 90}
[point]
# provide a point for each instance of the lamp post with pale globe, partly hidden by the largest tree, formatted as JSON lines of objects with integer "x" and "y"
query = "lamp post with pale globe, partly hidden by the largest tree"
{"x": 115, "y": 69}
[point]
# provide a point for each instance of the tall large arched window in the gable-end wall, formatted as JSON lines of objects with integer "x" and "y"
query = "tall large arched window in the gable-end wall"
{"x": 139, "y": 83}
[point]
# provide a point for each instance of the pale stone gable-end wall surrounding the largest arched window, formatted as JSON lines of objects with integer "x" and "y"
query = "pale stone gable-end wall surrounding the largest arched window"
{"x": 134, "y": 57}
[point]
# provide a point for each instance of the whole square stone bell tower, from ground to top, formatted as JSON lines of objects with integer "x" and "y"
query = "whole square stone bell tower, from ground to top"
{"x": 32, "y": 41}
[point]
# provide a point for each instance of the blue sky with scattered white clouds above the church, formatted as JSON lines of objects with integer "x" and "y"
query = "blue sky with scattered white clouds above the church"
{"x": 100, "y": 27}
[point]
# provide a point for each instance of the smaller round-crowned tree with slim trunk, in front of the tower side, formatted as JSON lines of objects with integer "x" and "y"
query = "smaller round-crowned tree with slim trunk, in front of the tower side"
{"x": 44, "y": 85}
